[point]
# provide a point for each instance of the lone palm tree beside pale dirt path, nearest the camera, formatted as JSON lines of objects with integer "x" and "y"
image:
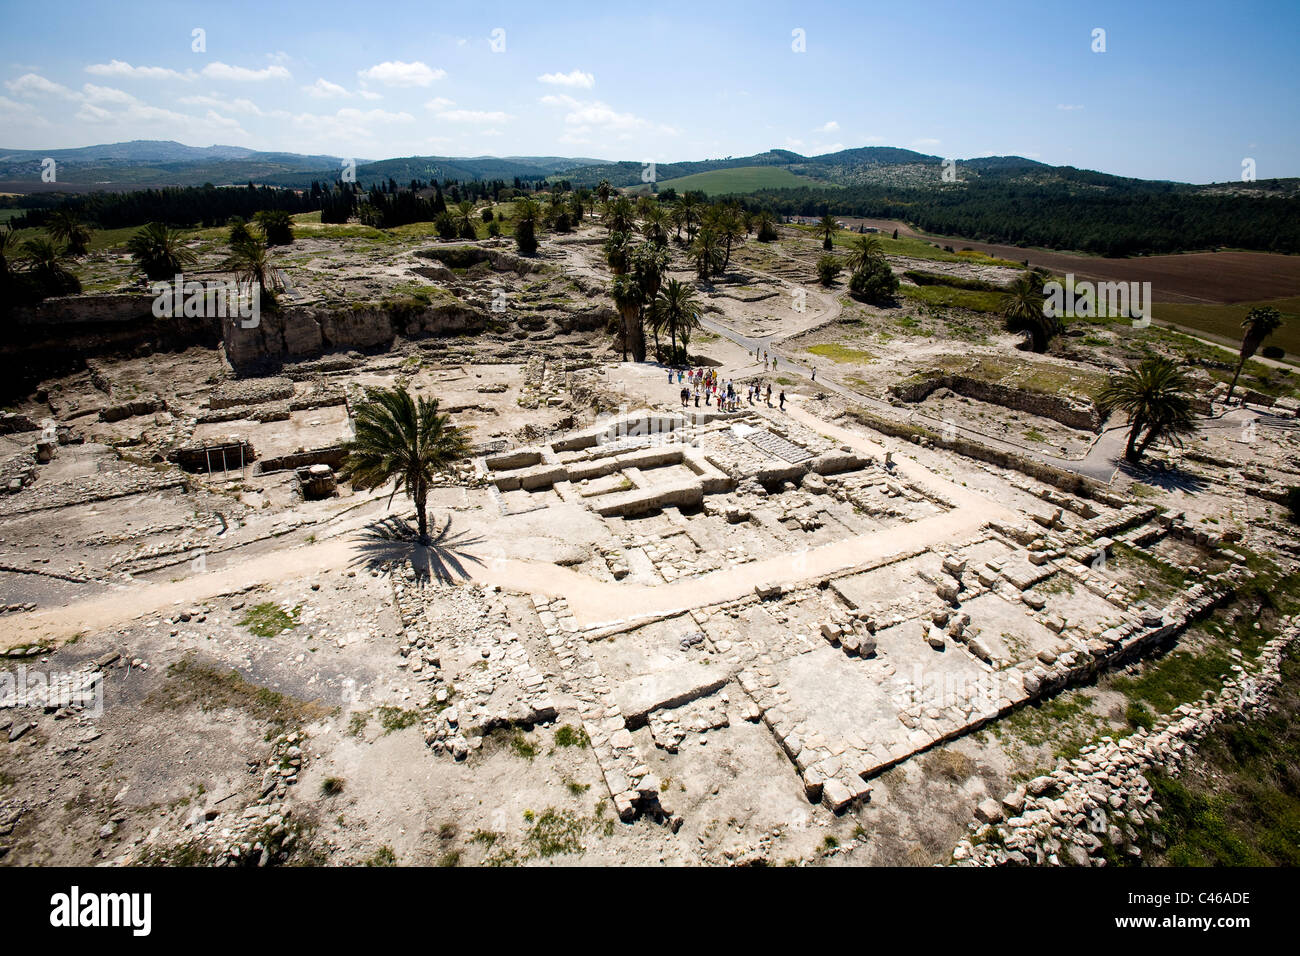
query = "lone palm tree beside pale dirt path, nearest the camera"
{"x": 406, "y": 442}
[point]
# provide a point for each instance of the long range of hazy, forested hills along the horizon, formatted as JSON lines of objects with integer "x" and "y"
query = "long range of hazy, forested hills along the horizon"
{"x": 1006, "y": 200}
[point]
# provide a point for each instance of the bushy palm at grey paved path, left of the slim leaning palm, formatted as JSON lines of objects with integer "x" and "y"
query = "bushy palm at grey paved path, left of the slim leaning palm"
{"x": 1158, "y": 401}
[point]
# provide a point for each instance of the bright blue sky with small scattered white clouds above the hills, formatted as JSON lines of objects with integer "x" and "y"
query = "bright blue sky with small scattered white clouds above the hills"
{"x": 1185, "y": 90}
